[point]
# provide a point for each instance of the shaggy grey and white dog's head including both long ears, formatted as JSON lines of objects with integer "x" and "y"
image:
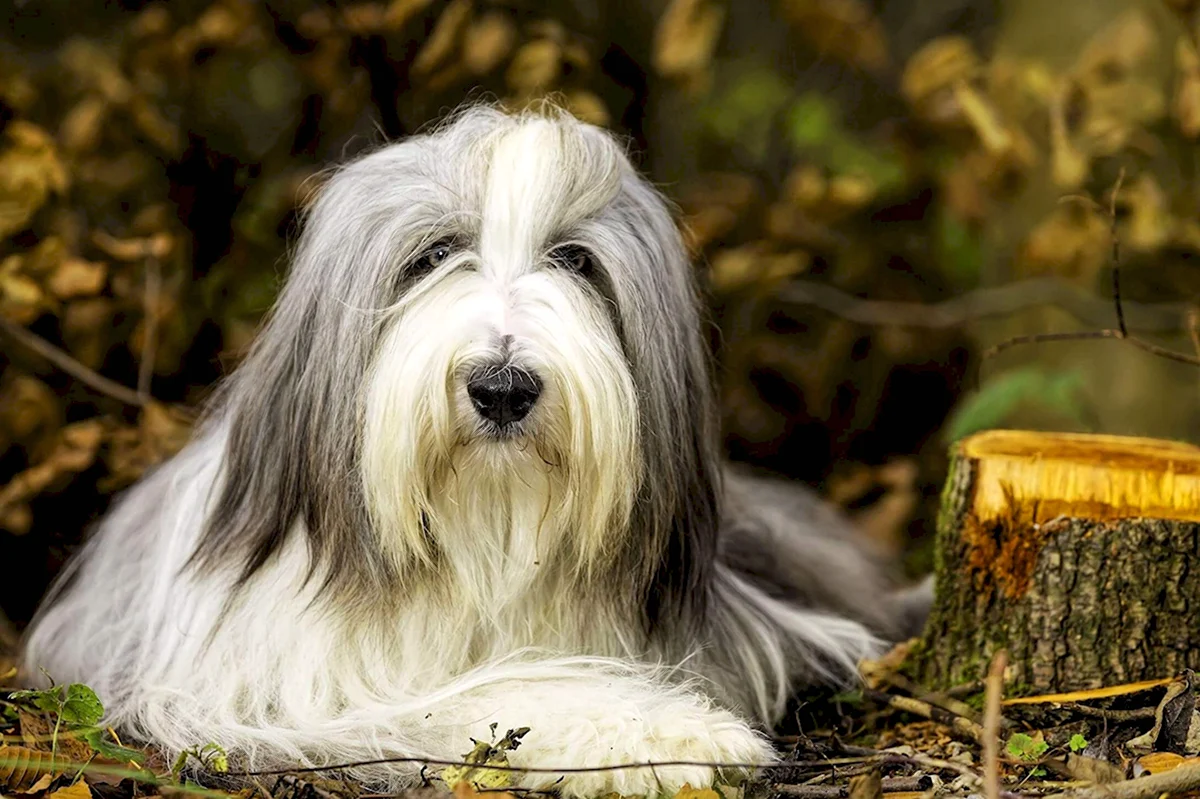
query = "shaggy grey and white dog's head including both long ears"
{"x": 501, "y": 309}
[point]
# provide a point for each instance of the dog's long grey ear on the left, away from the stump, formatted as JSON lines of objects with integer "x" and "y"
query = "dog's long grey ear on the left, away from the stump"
{"x": 290, "y": 416}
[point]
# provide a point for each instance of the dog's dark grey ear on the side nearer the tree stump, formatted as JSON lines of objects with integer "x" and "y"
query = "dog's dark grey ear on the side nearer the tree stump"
{"x": 679, "y": 510}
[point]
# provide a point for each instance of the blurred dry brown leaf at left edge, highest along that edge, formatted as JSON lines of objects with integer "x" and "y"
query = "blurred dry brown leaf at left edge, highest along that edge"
{"x": 31, "y": 171}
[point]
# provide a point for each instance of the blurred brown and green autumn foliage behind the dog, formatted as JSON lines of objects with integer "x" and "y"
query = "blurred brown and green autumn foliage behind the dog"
{"x": 877, "y": 193}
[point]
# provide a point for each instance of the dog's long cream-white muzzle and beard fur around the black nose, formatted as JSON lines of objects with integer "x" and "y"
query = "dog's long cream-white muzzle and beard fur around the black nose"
{"x": 551, "y": 494}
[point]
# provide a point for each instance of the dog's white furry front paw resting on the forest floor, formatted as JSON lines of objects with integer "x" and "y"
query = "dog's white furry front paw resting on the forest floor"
{"x": 686, "y": 734}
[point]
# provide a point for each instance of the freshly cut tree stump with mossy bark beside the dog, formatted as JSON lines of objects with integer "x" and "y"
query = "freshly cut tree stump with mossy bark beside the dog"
{"x": 1079, "y": 555}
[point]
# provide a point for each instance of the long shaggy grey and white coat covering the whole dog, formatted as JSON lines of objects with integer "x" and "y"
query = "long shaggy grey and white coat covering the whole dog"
{"x": 350, "y": 563}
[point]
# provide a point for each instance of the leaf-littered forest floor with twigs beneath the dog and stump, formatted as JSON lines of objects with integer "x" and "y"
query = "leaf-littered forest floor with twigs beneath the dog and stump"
{"x": 889, "y": 740}
